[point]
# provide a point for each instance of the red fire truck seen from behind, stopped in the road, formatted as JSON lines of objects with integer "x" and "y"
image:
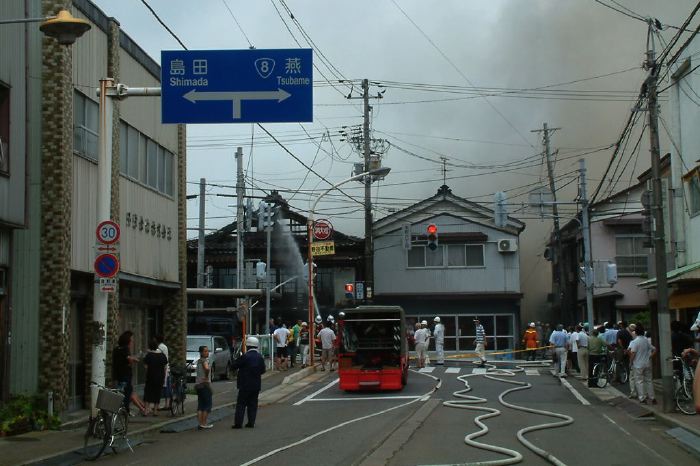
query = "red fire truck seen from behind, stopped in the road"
{"x": 372, "y": 349}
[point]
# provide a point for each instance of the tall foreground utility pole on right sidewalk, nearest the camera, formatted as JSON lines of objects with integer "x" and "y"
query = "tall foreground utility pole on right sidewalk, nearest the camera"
{"x": 658, "y": 234}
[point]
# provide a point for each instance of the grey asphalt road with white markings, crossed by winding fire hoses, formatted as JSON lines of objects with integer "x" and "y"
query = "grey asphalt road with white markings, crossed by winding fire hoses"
{"x": 320, "y": 425}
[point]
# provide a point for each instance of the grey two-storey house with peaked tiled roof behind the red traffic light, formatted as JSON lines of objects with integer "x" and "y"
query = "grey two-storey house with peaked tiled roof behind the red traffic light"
{"x": 474, "y": 271}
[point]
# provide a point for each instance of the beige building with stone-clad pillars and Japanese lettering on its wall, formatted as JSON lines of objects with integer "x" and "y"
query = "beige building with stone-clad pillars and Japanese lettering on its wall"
{"x": 48, "y": 210}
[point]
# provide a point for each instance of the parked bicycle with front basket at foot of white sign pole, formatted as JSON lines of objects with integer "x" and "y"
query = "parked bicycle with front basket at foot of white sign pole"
{"x": 110, "y": 424}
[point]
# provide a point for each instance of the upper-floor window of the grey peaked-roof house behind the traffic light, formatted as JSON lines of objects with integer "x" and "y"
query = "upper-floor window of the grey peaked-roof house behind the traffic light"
{"x": 450, "y": 255}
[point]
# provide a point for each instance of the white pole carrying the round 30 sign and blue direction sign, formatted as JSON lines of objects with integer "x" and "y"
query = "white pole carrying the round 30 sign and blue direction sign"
{"x": 104, "y": 191}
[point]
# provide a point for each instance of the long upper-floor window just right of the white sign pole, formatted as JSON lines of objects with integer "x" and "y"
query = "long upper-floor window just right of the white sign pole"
{"x": 144, "y": 161}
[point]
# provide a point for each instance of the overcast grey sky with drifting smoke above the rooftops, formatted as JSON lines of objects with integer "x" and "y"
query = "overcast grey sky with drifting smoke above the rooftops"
{"x": 509, "y": 44}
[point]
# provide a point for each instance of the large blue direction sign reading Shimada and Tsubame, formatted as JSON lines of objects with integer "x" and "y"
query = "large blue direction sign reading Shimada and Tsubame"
{"x": 237, "y": 86}
